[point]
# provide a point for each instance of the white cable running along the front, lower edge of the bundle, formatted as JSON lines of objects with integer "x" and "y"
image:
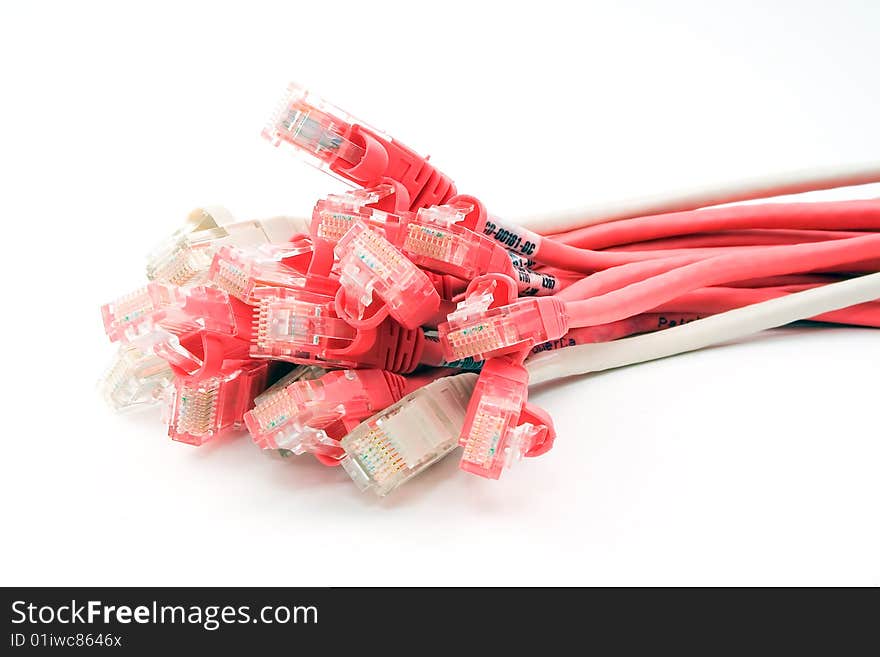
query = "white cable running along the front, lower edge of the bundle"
{"x": 716, "y": 329}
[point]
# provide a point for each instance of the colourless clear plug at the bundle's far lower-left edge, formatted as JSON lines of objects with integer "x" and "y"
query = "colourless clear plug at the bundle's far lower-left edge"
{"x": 135, "y": 379}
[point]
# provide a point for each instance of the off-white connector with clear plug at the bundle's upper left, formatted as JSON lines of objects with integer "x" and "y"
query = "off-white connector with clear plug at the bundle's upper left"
{"x": 185, "y": 257}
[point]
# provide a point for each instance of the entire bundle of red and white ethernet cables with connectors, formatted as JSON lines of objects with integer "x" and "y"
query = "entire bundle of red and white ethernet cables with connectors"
{"x": 231, "y": 304}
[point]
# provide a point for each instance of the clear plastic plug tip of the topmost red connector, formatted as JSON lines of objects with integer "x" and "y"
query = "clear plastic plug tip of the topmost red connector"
{"x": 315, "y": 129}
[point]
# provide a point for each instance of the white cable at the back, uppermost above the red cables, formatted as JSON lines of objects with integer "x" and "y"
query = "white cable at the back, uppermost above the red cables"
{"x": 781, "y": 184}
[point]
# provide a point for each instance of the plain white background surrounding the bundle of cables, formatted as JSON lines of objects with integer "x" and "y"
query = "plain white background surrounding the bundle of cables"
{"x": 754, "y": 463}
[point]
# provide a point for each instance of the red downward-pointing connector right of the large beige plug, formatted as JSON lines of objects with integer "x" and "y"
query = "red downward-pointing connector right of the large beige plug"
{"x": 492, "y": 436}
